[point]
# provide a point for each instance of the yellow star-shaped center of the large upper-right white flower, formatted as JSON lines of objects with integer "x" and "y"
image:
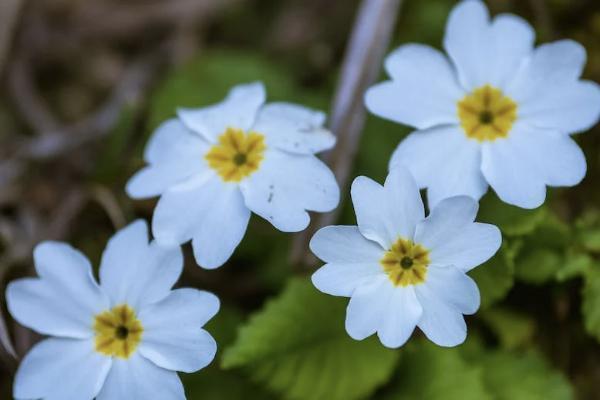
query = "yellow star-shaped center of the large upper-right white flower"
{"x": 487, "y": 114}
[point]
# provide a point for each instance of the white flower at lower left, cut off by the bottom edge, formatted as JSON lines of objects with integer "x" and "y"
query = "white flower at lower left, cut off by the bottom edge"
{"x": 122, "y": 339}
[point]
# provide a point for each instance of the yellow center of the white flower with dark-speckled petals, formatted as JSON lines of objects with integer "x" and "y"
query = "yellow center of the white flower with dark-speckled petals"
{"x": 237, "y": 154}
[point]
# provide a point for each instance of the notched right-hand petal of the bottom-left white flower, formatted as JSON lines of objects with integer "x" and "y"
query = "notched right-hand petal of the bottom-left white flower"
{"x": 173, "y": 338}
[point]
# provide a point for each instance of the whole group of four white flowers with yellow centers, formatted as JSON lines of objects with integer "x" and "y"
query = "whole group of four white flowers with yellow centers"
{"x": 497, "y": 112}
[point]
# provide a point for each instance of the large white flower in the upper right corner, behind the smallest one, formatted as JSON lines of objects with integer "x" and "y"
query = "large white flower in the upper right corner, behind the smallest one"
{"x": 498, "y": 112}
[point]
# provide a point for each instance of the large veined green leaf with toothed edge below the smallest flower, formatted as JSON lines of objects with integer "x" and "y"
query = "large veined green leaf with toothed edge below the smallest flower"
{"x": 297, "y": 347}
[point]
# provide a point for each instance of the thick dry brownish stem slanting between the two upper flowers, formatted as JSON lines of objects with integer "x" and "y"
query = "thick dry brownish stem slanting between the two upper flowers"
{"x": 369, "y": 40}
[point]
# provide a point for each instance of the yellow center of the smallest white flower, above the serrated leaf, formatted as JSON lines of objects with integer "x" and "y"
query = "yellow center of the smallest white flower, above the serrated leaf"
{"x": 406, "y": 263}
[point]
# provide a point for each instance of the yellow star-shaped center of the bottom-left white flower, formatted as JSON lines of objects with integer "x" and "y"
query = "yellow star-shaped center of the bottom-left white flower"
{"x": 118, "y": 331}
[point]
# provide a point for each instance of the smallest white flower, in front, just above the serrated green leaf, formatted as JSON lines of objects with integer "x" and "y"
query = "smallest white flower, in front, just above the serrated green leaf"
{"x": 401, "y": 269}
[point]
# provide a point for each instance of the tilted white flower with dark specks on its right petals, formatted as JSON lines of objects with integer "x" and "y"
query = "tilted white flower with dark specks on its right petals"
{"x": 214, "y": 165}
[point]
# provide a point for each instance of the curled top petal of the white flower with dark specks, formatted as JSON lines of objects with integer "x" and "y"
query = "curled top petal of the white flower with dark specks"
{"x": 238, "y": 110}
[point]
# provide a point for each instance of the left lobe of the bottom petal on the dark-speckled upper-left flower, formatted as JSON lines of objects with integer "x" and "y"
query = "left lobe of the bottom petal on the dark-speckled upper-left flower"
{"x": 181, "y": 209}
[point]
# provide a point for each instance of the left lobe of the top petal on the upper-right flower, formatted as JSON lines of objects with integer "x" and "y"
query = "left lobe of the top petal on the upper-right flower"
{"x": 467, "y": 42}
